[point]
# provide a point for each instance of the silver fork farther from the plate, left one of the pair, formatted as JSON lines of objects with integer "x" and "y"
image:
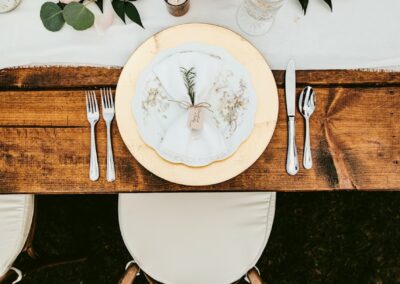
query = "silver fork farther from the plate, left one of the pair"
{"x": 92, "y": 111}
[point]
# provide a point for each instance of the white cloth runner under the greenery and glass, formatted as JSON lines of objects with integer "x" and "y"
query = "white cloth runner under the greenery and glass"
{"x": 358, "y": 34}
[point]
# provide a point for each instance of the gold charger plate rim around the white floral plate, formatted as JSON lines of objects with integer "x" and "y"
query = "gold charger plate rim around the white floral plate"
{"x": 263, "y": 83}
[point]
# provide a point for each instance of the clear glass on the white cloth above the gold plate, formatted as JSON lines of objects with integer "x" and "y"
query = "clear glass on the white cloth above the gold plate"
{"x": 255, "y": 17}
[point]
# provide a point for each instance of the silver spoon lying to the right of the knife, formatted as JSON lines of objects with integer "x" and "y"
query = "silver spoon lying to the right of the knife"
{"x": 307, "y": 106}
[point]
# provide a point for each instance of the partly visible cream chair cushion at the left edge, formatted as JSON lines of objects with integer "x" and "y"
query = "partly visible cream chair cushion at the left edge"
{"x": 16, "y": 213}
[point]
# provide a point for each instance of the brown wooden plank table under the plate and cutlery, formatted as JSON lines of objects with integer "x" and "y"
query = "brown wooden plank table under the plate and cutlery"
{"x": 44, "y": 136}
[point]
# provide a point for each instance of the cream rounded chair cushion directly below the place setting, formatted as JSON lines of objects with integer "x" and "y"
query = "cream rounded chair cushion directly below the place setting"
{"x": 196, "y": 238}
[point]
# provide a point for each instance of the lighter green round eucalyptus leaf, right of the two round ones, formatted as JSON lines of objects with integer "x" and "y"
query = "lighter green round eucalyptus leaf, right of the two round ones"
{"x": 78, "y": 16}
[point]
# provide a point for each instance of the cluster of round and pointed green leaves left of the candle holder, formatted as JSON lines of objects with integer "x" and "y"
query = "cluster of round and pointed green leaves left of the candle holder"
{"x": 75, "y": 13}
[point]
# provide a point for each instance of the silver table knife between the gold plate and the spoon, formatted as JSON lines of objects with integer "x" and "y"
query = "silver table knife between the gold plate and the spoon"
{"x": 292, "y": 163}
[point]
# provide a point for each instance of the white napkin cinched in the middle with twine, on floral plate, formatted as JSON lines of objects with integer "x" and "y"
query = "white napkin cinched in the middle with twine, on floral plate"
{"x": 181, "y": 143}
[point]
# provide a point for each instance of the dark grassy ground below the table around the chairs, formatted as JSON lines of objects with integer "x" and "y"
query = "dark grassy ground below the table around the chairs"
{"x": 346, "y": 237}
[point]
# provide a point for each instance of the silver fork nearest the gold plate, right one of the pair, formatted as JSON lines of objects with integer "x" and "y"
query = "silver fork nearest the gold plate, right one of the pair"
{"x": 107, "y": 104}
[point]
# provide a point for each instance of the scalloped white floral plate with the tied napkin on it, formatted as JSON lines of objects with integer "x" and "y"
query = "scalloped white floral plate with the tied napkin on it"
{"x": 164, "y": 111}
